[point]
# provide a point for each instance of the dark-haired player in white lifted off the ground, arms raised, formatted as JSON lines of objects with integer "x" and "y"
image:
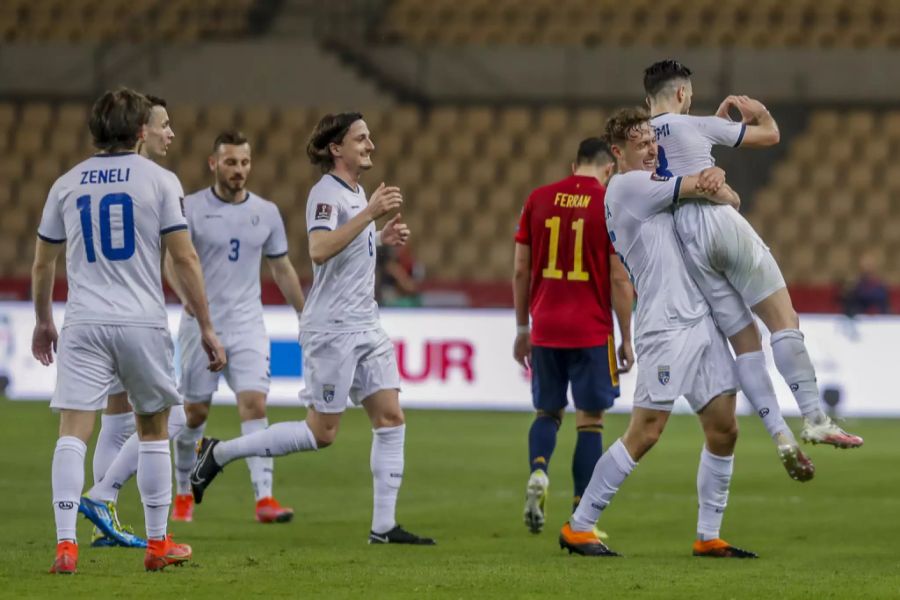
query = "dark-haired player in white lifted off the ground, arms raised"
{"x": 733, "y": 267}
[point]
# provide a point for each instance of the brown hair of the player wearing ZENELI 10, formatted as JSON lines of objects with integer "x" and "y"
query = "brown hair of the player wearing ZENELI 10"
{"x": 116, "y": 119}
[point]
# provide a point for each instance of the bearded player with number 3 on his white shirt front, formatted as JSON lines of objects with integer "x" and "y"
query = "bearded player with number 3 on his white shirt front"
{"x": 232, "y": 229}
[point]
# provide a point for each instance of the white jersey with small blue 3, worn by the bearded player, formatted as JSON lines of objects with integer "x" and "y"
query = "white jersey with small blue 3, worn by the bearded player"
{"x": 231, "y": 239}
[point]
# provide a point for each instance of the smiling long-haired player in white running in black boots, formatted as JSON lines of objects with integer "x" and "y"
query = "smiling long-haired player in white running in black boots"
{"x": 346, "y": 353}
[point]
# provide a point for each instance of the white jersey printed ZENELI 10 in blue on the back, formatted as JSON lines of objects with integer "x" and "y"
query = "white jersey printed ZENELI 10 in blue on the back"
{"x": 111, "y": 211}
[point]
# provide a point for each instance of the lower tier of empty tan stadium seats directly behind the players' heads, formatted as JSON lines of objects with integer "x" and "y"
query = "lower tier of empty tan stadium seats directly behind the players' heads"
{"x": 465, "y": 172}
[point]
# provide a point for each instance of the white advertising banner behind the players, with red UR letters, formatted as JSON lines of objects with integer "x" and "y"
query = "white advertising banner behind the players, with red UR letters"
{"x": 463, "y": 359}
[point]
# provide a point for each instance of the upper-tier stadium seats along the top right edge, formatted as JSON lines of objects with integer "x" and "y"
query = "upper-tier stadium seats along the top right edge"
{"x": 699, "y": 23}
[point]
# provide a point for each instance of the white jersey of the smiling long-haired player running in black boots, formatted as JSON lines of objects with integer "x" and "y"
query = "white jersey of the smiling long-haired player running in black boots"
{"x": 342, "y": 297}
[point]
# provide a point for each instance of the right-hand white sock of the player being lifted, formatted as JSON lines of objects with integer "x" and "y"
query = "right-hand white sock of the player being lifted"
{"x": 793, "y": 362}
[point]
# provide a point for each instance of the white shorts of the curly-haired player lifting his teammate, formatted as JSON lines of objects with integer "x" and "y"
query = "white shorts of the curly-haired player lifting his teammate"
{"x": 694, "y": 362}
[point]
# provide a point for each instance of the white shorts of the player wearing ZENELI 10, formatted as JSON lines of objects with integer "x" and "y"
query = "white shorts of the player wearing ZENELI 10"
{"x": 91, "y": 357}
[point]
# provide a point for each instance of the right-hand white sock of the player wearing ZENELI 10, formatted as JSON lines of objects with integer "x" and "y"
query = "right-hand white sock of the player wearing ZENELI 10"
{"x": 155, "y": 484}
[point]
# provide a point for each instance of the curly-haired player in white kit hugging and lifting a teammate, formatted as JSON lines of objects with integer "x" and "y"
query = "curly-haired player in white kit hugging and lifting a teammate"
{"x": 680, "y": 352}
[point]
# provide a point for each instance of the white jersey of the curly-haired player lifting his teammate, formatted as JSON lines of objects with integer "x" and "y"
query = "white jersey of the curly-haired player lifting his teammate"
{"x": 639, "y": 219}
